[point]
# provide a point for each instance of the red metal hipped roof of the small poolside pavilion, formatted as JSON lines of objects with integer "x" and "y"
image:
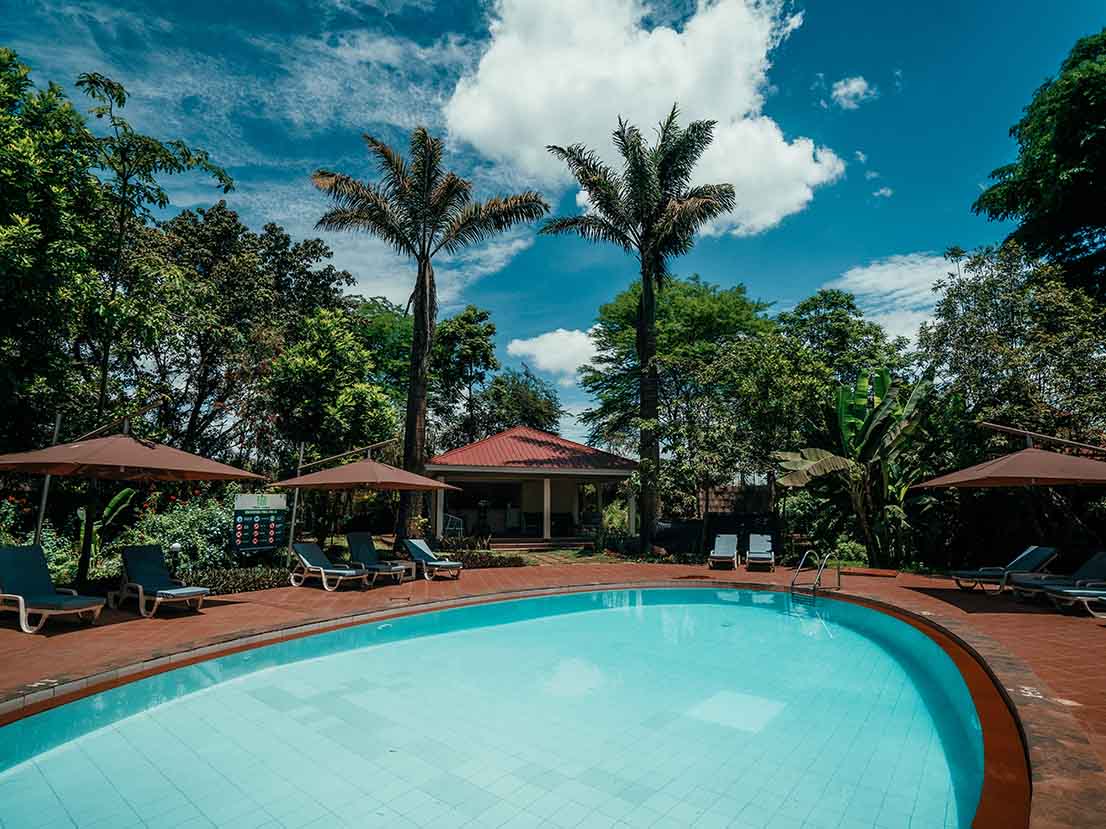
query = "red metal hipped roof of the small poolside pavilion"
{"x": 526, "y": 448}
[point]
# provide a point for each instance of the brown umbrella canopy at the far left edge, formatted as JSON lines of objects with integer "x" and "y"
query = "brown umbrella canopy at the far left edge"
{"x": 122, "y": 458}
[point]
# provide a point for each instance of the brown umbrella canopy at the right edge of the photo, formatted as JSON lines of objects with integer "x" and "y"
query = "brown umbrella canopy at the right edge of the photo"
{"x": 1028, "y": 468}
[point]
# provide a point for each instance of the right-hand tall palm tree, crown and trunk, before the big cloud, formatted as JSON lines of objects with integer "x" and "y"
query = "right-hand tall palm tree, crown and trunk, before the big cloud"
{"x": 649, "y": 209}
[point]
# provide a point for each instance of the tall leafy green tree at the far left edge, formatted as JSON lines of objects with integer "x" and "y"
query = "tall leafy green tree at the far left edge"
{"x": 49, "y": 235}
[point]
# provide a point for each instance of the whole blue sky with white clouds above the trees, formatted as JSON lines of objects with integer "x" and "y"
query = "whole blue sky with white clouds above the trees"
{"x": 858, "y": 134}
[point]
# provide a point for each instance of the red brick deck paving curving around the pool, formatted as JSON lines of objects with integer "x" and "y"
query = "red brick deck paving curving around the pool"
{"x": 1053, "y": 667}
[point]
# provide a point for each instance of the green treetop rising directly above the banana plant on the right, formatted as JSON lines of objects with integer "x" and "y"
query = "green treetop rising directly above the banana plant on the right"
{"x": 832, "y": 328}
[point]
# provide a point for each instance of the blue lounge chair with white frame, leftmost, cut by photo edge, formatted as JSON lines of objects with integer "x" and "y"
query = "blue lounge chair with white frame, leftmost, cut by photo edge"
{"x": 27, "y": 589}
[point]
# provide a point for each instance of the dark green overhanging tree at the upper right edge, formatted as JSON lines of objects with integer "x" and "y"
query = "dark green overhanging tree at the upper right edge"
{"x": 1055, "y": 190}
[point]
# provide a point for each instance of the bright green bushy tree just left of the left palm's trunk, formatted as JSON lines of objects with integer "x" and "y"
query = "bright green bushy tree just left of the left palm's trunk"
{"x": 321, "y": 387}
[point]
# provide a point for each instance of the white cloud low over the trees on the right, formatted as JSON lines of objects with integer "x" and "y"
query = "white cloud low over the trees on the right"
{"x": 898, "y": 292}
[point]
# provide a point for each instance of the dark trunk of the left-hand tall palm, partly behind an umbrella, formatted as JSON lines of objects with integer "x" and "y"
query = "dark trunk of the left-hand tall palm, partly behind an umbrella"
{"x": 426, "y": 310}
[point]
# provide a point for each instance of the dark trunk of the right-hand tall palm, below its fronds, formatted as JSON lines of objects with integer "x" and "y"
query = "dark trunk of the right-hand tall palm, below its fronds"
{"x": 649, "y": 407}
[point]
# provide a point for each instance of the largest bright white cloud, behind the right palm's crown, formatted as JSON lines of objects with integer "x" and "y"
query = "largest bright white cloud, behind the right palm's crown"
{"x": 561, "y": 74}
